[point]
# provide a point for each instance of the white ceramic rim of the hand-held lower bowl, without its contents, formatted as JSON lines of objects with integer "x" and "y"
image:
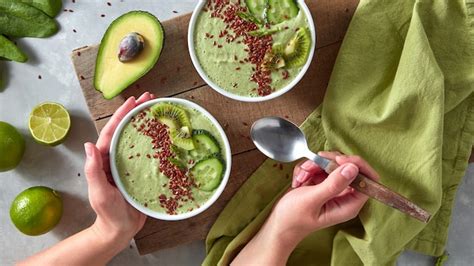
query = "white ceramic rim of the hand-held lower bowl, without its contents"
{"x": 118, "y": 181}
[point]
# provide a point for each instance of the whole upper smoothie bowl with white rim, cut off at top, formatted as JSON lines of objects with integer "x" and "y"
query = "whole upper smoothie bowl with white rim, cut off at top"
{"x": 251, "y": 50}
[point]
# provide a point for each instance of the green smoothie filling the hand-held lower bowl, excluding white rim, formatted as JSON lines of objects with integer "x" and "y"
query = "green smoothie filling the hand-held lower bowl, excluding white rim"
{"x": 158, "y": 174}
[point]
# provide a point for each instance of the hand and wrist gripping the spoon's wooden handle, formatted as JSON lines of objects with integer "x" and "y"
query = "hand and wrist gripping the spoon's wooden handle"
{"x": 316, "y": 200}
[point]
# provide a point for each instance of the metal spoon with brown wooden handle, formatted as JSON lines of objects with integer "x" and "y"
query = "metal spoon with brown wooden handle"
{"x": 283, "y": 141}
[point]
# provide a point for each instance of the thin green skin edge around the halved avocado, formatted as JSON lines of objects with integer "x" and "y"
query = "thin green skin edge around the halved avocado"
{"x": 102, "y": 47}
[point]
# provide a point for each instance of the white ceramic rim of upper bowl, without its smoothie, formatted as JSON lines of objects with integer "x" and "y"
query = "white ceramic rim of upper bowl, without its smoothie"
{"x": 202, "y": 73}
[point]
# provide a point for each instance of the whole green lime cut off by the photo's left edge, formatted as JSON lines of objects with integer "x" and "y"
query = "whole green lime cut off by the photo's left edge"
{"x": 12, "y": 147}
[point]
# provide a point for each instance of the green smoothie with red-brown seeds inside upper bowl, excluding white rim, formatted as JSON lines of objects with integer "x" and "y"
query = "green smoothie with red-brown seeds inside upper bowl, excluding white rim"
{"x": 239, "y": 55}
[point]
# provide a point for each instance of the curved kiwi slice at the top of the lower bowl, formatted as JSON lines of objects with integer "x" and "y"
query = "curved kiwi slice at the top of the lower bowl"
{"x": 178, "y": 123}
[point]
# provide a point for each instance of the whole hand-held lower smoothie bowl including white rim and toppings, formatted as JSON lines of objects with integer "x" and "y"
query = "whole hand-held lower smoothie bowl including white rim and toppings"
{"x": 170, "y": 158}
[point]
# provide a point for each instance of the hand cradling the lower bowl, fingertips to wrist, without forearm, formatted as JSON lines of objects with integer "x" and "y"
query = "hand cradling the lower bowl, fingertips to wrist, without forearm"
{"x": 116, "y": 221}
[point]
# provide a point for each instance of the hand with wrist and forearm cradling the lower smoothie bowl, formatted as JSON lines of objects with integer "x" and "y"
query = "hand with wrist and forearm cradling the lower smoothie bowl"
{"x": 116, "y": 223}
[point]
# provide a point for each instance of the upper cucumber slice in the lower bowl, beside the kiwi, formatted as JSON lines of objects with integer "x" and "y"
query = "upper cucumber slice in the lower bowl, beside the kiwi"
{"x": 205, "y": 143}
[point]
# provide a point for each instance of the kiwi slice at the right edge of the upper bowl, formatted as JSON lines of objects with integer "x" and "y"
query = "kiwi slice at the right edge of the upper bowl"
{"x": 296, "y": 51}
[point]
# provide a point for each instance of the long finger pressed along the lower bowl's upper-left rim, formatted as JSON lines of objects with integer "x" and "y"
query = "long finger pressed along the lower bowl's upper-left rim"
{"x": 103, "y": 143}
